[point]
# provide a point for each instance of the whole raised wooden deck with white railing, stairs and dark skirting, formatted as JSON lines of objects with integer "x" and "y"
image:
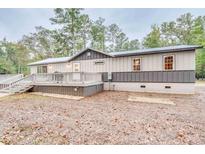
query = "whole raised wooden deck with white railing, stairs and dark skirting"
{"x": 77, "y": 84}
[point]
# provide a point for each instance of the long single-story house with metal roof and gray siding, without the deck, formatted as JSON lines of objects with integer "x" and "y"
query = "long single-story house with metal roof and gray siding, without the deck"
{"x": 164, "y": 70}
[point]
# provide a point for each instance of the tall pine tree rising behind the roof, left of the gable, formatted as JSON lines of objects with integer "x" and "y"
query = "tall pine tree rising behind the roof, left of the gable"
{"x": 72, "y": 23}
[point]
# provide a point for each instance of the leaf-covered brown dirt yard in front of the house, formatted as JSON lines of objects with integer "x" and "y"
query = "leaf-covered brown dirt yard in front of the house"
{"x": 106, "y": 118}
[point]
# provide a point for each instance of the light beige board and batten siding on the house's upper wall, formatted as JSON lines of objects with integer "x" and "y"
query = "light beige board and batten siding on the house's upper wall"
{"x": 153, "y": 62}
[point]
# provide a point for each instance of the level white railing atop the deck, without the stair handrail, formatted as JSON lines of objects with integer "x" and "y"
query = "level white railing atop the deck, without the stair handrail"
{"x": 66, "y": 78}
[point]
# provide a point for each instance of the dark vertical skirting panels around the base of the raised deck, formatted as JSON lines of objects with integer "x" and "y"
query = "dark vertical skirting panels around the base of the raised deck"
{"x": 69, "y": 90}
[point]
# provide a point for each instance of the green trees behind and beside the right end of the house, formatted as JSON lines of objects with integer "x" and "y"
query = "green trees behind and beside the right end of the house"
{"x": 185, "y": 30}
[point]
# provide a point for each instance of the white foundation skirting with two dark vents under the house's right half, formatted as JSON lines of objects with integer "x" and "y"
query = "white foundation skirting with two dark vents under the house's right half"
{"x": 175, "y": 88}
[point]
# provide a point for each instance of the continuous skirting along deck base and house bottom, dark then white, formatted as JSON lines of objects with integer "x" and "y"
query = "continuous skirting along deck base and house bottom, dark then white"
{"x": 174, "y": 88}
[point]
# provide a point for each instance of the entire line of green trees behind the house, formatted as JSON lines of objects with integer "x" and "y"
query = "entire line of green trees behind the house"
{"x": 74, "y": 31}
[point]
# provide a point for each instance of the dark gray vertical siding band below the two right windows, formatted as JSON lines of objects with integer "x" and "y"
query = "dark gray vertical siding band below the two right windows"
{"x": 186, "y": 76}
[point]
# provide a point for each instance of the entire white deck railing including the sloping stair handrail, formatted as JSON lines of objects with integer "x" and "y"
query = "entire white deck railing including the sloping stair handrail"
{"x": 71, "y": 78}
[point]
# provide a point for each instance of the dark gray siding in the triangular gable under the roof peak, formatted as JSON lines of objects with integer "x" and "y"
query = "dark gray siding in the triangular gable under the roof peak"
{"x": 93, "y": 55}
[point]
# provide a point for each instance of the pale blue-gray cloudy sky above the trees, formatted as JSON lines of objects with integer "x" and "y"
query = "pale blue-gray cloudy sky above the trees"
{"x": 14, "y": 23}
